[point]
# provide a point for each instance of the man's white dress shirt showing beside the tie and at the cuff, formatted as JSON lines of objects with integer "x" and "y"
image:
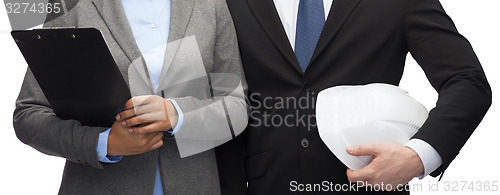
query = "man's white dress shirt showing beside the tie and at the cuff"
{"x": 287, "y": 10}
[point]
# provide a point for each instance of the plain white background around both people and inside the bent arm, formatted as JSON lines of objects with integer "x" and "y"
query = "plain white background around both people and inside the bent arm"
{"x": 24, "y": 170}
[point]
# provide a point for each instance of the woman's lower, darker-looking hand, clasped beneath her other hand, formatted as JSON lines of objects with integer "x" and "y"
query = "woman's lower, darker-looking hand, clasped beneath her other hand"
{"x": 122, "y": 143}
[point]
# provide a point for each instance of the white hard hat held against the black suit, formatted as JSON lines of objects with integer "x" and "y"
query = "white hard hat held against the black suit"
{"x": 364, "y": 114}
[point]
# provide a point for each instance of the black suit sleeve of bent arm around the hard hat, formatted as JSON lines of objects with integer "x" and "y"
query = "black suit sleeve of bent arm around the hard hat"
{"x": 454, "y": 71}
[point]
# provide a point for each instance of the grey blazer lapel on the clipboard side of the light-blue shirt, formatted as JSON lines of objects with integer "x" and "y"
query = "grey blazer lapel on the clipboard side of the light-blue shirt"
{"x": 116, "y": 20}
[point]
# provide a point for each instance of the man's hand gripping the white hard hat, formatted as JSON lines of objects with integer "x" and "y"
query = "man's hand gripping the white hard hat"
{"x": 392, "y": 165}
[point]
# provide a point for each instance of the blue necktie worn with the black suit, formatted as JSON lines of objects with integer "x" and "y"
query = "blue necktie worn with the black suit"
{"x": 310, "y": 22}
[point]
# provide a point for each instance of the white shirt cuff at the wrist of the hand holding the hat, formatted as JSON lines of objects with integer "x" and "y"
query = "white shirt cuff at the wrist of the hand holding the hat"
{"x": 428, "y": 155}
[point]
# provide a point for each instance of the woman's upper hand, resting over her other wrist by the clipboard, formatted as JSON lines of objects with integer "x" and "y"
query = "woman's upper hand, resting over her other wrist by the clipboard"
{"x": 147, "y": 114}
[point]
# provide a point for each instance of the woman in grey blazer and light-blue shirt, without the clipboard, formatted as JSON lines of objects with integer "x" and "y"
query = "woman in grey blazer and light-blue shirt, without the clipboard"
{"x": 200, "y": 82}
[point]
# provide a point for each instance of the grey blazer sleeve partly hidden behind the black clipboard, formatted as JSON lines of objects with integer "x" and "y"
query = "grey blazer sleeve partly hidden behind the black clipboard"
{"x": 37, "y": 125}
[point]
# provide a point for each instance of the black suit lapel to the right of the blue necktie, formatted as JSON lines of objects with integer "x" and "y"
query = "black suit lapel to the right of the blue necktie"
{"x": 340, "y": 11}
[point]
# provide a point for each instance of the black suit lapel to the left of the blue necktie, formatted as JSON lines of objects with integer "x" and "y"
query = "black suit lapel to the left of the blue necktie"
{"x": 266, "y": 14}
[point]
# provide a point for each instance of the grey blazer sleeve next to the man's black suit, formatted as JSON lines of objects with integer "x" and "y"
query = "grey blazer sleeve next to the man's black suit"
{"x": 216, "y": 120}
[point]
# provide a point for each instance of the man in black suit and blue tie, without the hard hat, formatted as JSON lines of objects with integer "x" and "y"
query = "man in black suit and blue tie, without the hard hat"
{"x": 291, "y": 51}
